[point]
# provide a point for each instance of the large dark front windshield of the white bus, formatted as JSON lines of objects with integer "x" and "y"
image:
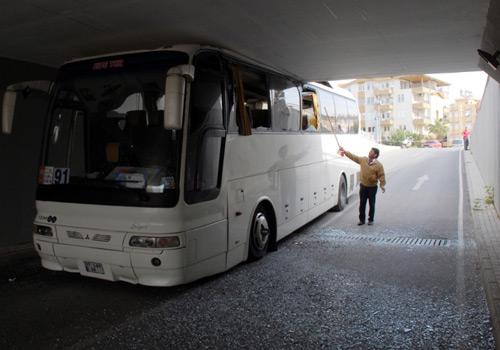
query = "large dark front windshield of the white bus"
{"x": 106, "y": 143}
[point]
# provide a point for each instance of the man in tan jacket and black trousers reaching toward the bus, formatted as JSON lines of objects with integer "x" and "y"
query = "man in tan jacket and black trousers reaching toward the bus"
{"x": 372, "y": 172}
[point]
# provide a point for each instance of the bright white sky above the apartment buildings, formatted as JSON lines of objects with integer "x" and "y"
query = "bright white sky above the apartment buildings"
{"x": 472, "y": 81}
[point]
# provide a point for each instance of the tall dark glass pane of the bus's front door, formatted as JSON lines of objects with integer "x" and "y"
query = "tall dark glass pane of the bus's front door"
{"x": 206, "y": 131}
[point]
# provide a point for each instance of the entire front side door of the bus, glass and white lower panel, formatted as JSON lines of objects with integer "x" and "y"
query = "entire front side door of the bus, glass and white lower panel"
{"x": 206, "y": 138}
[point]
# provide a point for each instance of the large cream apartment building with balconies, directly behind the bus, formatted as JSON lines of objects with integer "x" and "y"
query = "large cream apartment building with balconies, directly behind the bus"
{"x": 409, "y": 102}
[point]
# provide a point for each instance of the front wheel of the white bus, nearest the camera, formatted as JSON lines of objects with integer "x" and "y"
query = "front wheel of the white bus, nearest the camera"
{"x": 259, "y": 234}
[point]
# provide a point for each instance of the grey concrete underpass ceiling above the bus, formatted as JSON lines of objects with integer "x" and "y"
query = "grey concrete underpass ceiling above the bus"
{"x": 317, "y": 40}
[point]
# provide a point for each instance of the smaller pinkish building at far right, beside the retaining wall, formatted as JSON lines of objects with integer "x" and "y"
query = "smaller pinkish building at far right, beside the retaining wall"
{"x": 461, "y": 114}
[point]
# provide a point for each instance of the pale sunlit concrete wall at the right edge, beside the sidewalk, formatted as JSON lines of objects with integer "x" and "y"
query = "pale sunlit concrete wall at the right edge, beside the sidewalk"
{"x": 485, "y": 140}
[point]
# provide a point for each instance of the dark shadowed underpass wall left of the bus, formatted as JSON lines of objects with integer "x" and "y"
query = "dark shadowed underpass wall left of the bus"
{"x": 19, "y": 153}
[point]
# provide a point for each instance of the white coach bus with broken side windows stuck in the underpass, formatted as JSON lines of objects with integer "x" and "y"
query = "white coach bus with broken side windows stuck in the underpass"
{"x": 165, "y": 166}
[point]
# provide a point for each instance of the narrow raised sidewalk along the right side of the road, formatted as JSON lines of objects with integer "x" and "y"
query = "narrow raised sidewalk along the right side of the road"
{"x": 487, "y": 233}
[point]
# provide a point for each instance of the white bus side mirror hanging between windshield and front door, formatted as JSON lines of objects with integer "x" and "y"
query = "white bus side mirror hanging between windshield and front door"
{"x": 175, "y": 93}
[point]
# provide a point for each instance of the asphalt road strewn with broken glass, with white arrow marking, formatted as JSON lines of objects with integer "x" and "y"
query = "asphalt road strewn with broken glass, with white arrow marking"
{"x": 331, "y": 284}
